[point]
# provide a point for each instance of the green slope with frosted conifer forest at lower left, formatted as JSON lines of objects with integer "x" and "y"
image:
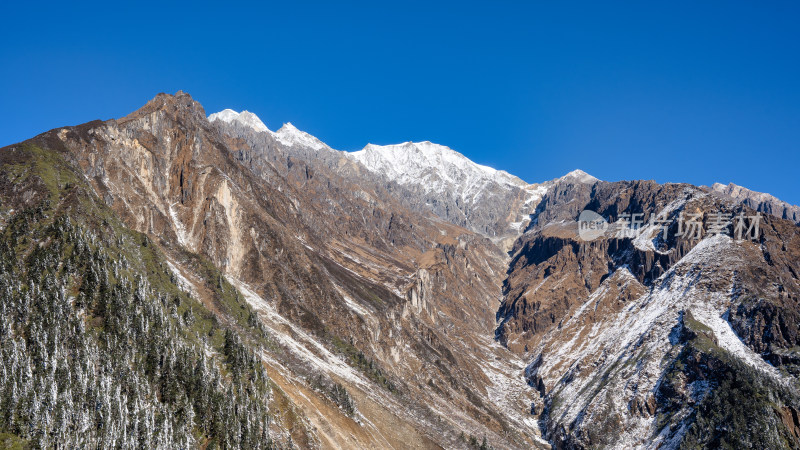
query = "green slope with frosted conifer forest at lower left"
{"x": 99, "y": 347}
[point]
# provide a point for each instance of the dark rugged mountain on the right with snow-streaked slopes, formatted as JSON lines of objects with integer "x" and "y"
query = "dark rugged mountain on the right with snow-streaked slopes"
{"x": 667, "y": 342}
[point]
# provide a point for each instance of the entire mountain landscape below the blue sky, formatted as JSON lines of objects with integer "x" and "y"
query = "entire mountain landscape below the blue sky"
{"x": 173, "y": 279}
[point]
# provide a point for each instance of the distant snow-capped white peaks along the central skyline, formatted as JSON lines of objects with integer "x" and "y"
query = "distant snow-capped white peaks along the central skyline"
{"x": 426, "y": 177}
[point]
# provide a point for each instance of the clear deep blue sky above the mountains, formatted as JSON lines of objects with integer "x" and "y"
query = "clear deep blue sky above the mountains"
{"x": 694, "y": 92}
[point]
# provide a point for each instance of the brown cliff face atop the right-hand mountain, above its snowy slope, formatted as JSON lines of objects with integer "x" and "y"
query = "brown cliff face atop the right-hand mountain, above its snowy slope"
{"x": 534, "y": 300}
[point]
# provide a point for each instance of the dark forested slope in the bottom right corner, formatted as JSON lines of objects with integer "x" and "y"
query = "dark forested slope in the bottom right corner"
{"x": 734, "y": 406}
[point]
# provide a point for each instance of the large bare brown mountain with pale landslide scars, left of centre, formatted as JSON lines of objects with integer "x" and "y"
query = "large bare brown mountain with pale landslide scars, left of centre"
{"x": 356, "y": 302}
